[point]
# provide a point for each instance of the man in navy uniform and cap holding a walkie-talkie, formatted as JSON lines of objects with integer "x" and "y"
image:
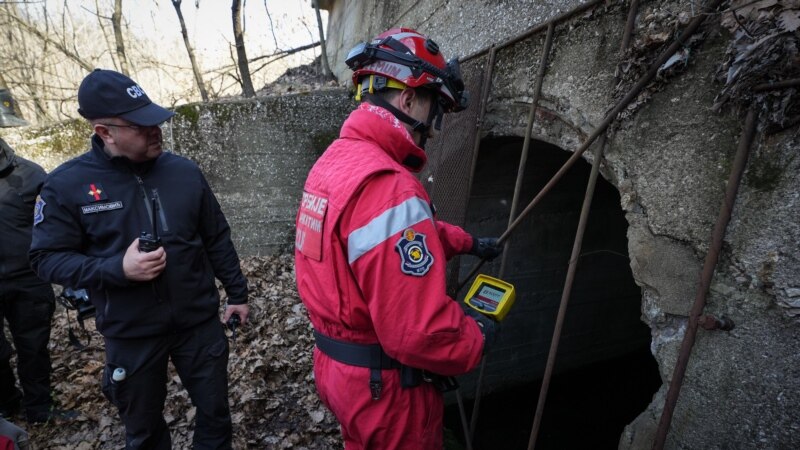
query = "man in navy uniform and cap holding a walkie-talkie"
{"x": 155, "y": 298}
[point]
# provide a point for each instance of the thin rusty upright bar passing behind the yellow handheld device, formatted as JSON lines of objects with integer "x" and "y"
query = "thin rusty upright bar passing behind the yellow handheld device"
{"x": 514, "y": 203}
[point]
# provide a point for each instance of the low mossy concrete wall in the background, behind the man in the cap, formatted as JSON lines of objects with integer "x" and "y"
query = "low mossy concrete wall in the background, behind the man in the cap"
{"x": 255, "y": 154}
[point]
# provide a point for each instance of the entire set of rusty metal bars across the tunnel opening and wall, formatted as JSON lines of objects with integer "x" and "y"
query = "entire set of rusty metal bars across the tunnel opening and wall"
{"x": 695, "y": 316}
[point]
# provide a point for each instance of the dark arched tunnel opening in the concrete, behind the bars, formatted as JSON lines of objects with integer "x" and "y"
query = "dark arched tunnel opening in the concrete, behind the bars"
{"x": 604, "y": 373}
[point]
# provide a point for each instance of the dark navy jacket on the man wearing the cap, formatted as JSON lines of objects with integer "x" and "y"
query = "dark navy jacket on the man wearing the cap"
{"x": 94, "y": 206}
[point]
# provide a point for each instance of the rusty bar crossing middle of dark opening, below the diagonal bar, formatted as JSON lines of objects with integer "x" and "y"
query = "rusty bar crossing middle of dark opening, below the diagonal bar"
{"x": 562, "y": 309}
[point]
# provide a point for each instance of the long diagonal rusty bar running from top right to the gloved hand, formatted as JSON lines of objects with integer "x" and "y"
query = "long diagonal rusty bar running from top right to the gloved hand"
{"x": 622, "y": 104}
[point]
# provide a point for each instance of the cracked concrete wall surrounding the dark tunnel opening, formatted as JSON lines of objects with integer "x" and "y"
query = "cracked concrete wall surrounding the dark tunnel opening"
{"x": 669, "y": 158}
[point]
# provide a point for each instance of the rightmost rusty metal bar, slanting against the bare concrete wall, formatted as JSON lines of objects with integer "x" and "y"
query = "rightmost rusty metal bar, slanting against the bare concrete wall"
{"x": 748, "y": 132}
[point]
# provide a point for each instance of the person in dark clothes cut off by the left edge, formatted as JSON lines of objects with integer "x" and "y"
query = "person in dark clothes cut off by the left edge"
{"x": 26, "y": 302}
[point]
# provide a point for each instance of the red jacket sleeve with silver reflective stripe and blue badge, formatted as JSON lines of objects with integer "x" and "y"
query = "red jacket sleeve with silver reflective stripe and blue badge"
{"x": 398, "y": 260}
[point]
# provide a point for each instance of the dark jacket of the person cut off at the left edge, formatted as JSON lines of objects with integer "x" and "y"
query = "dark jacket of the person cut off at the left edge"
{"x": 20, "y": 183}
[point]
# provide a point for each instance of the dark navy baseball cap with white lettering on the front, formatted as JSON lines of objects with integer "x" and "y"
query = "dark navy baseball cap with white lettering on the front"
{"x": 106, "y": 93}
